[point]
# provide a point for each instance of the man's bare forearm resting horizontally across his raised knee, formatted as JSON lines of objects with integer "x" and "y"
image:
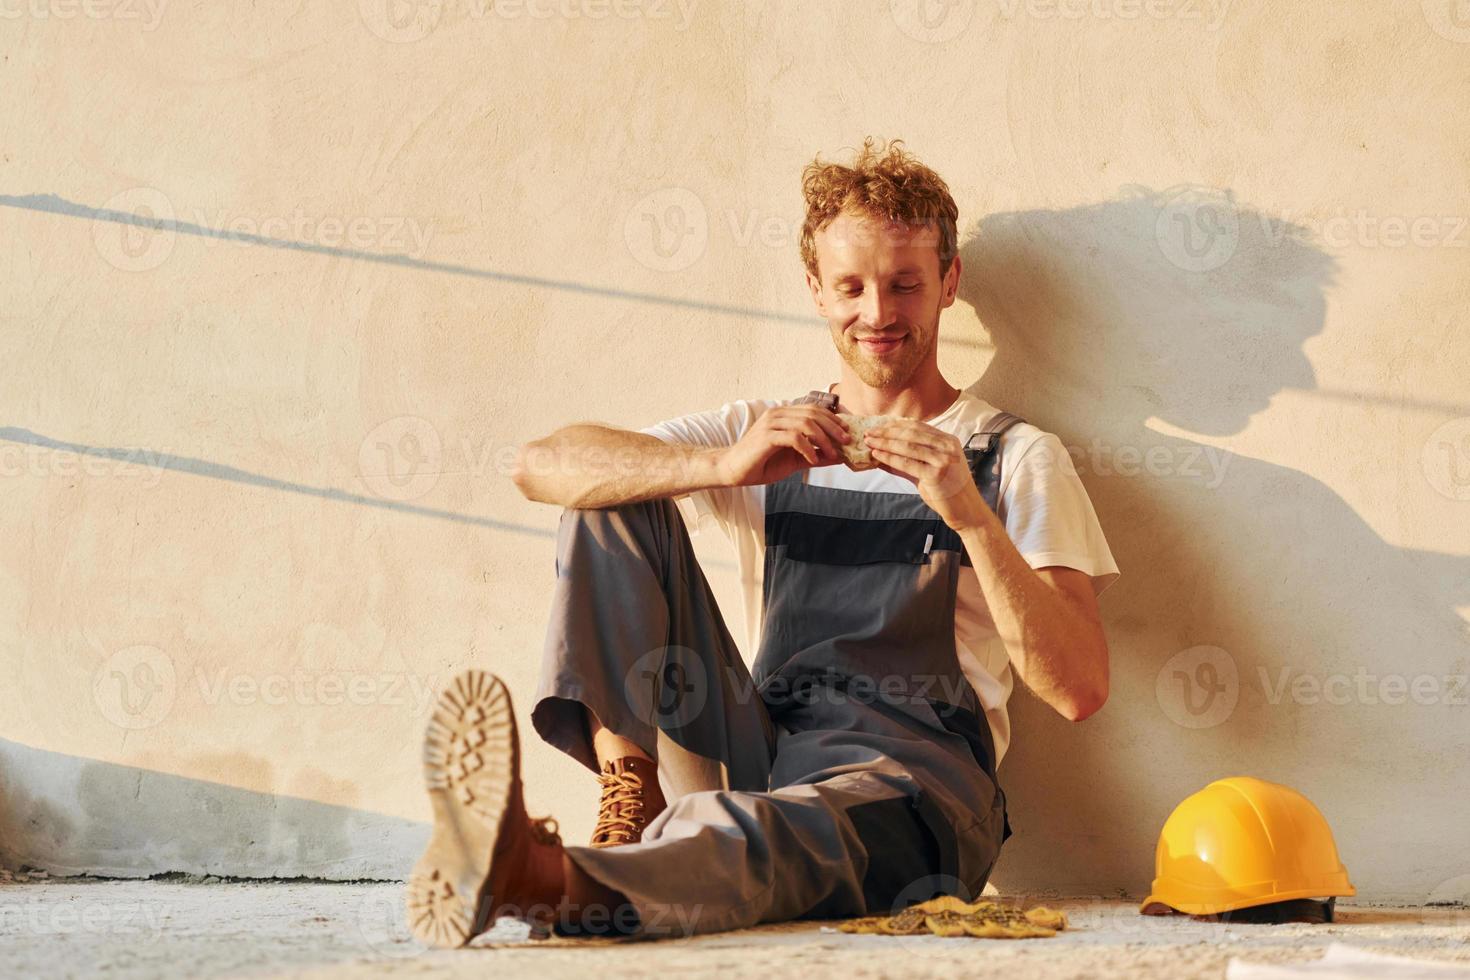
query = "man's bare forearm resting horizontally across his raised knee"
{"x": 598, "y": 466}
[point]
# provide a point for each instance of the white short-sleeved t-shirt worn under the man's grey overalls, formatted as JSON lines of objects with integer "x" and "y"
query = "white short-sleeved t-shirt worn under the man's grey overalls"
{"x": 1043, "y": 505}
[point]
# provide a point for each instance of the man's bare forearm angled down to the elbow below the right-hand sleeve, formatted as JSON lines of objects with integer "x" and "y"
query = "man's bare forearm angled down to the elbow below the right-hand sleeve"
{"x": 1052, "y": 643}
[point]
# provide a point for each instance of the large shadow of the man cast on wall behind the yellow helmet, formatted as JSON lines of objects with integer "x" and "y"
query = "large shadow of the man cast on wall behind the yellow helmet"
{"x": 1109, "y": 321}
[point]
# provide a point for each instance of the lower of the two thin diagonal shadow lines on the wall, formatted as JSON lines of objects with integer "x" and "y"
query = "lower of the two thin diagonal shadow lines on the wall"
{"x": 234, "y": 475}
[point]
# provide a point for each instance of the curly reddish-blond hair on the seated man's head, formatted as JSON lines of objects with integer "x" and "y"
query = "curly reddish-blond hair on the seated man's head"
{"x": 886, "y": 183}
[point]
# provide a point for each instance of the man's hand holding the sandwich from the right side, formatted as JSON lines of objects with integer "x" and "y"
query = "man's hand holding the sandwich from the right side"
{"x": 936, "y": 462}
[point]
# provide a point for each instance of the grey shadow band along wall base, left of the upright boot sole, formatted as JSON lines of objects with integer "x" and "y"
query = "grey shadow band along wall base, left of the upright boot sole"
{"x": 79, "y": 816}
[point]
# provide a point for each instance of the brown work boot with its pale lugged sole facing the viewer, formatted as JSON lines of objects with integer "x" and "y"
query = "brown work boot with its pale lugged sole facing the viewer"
{"x": 486, "y": 856}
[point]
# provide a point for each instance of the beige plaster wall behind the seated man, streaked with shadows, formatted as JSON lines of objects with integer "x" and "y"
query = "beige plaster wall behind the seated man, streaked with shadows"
{"x": 283, "y": 283}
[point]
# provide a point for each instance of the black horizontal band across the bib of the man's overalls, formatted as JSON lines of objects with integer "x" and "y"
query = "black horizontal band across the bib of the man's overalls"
{"x": 820, "y": 538}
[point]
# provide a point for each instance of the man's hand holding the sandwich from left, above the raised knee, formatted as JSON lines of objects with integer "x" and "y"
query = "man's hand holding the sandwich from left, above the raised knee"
{"x": 783, "y": 442}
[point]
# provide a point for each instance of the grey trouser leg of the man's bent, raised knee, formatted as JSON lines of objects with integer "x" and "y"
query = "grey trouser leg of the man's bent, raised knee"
{"x": 637, "y": 640}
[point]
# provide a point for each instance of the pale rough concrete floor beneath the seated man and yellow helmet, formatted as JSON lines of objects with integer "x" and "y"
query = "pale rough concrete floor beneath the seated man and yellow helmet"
{"x": 196, "y": 929}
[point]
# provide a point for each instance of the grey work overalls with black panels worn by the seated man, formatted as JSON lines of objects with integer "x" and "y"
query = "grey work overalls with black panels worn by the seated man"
{"x": 877, "y": 782}
